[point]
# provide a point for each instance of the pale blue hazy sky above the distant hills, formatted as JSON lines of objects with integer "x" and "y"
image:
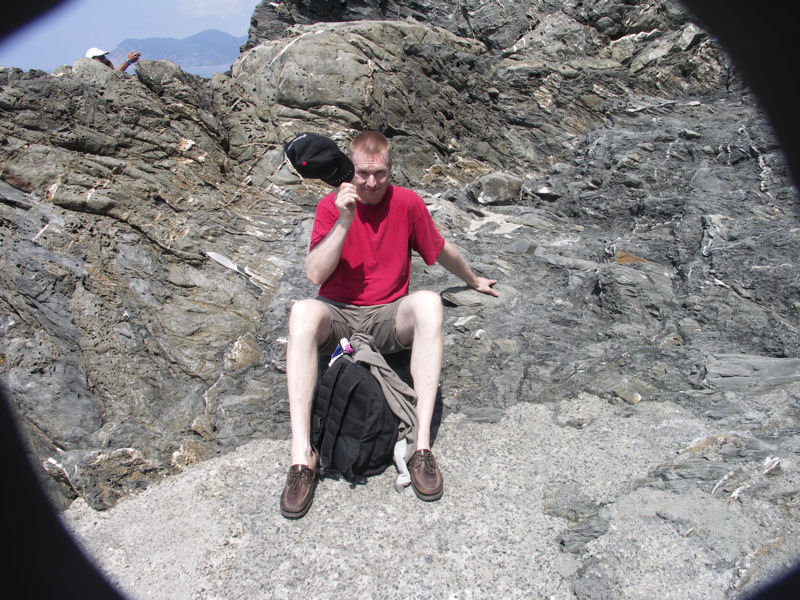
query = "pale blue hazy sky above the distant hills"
{"x": 64, "y": 34}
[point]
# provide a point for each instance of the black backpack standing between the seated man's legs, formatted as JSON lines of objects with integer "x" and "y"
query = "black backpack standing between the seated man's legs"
{"x": 352, "y": 426}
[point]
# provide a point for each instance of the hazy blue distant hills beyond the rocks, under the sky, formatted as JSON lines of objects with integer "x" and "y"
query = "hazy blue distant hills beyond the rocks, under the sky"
{"x": 205, "y": 53}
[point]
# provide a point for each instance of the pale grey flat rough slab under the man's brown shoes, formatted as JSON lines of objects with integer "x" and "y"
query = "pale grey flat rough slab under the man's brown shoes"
{"x": 534, "y": 507}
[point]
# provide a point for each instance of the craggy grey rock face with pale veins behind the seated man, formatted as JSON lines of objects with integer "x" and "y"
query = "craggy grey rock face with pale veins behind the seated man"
{"x": 602, "y": 160}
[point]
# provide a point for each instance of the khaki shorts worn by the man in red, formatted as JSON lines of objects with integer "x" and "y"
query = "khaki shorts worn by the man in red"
{"x": 377, "y": 321}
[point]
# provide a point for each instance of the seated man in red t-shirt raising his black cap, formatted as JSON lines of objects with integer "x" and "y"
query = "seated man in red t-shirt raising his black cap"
{"x": 360, "y": 255}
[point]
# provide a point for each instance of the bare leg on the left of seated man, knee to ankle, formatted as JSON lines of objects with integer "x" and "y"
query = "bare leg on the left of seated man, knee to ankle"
{"x": 309, "y": 326}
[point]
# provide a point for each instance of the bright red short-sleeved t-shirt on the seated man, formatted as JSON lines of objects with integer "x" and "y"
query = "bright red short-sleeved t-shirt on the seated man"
{"x": 376, "y": 256}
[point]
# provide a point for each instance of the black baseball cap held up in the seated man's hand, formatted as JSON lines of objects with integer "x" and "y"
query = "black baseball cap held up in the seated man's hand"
{"x": 318, "y": 157}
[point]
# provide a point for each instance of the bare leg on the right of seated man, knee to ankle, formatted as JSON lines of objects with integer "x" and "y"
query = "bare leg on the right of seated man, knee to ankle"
{"x": 419, "y": 322}
